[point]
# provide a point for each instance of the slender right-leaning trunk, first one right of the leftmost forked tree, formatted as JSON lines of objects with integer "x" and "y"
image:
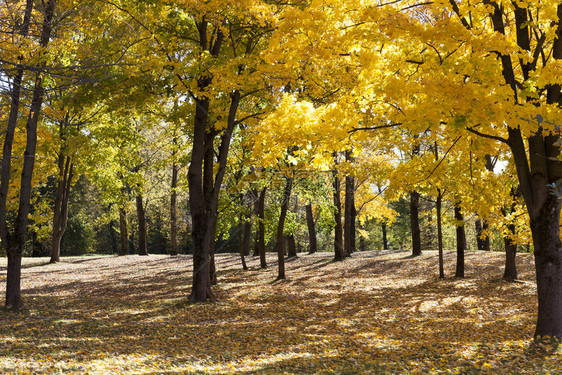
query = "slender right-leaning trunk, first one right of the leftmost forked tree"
{"x": 60, "y": 211}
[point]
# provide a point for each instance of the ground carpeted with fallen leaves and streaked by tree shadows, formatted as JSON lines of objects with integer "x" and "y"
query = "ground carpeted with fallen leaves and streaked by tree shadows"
{"x": 376, "y": 313}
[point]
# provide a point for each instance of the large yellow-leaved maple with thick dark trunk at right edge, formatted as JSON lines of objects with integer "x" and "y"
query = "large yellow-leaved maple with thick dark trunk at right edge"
{"x": 522, "y": 104}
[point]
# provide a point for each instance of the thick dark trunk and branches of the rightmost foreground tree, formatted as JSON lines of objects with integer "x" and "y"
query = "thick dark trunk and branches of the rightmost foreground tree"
{"x": 538, "y": 172}
